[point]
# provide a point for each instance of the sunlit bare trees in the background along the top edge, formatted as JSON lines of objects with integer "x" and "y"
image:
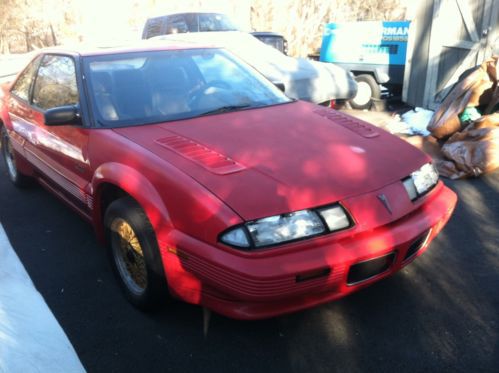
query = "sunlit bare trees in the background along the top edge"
{"x": 29, "y": 24}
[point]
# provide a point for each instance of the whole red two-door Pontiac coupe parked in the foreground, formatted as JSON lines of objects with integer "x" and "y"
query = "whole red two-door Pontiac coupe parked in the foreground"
{"x": 204, "y": 179}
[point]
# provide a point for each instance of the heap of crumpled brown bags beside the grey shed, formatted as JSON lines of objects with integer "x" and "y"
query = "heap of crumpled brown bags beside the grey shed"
{"x": 466, "y": 125}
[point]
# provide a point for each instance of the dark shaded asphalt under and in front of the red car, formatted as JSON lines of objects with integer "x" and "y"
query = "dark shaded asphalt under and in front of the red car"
{"x": 441, "y": 313}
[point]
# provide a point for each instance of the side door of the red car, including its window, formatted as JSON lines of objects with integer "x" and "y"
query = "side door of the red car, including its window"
{"x": 59, "y": 152}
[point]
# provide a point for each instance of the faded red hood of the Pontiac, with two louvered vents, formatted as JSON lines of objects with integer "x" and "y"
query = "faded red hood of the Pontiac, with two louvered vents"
{"x": 273, "y": 160}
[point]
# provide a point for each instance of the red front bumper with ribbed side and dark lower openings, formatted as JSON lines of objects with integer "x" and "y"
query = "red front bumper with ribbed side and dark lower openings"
{"x": 304, "y": 274}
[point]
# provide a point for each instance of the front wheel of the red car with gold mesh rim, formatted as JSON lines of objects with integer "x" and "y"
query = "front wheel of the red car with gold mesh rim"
{"x": 134, "y": 254}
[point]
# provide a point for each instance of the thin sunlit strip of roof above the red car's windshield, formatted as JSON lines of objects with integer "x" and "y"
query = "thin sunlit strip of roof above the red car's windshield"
{"x": 142, "y": 46}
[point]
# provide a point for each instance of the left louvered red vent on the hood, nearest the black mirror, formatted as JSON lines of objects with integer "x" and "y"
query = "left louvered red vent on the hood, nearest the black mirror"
{"x": 201, "y": 155}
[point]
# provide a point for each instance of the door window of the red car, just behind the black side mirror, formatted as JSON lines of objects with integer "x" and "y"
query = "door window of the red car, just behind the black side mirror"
{"x": 55, "y": 83}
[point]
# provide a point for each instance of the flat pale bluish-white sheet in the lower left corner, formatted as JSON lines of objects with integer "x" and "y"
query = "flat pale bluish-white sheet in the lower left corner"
{"x": 31, "y": 339}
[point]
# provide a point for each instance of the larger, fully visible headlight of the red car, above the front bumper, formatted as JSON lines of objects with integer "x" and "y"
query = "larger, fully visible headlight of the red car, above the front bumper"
{"x": 287, "y": 227}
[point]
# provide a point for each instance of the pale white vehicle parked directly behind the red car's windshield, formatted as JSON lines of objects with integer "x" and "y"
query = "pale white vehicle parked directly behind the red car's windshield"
{"x": 303, "y": 79}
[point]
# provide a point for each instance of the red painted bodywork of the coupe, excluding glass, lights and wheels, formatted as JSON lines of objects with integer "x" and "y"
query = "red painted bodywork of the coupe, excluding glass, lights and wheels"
{"x": 195, "y": 178}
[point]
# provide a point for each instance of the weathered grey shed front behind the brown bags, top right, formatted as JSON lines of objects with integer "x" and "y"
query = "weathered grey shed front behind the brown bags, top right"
{"x": 446, "y": 38}
